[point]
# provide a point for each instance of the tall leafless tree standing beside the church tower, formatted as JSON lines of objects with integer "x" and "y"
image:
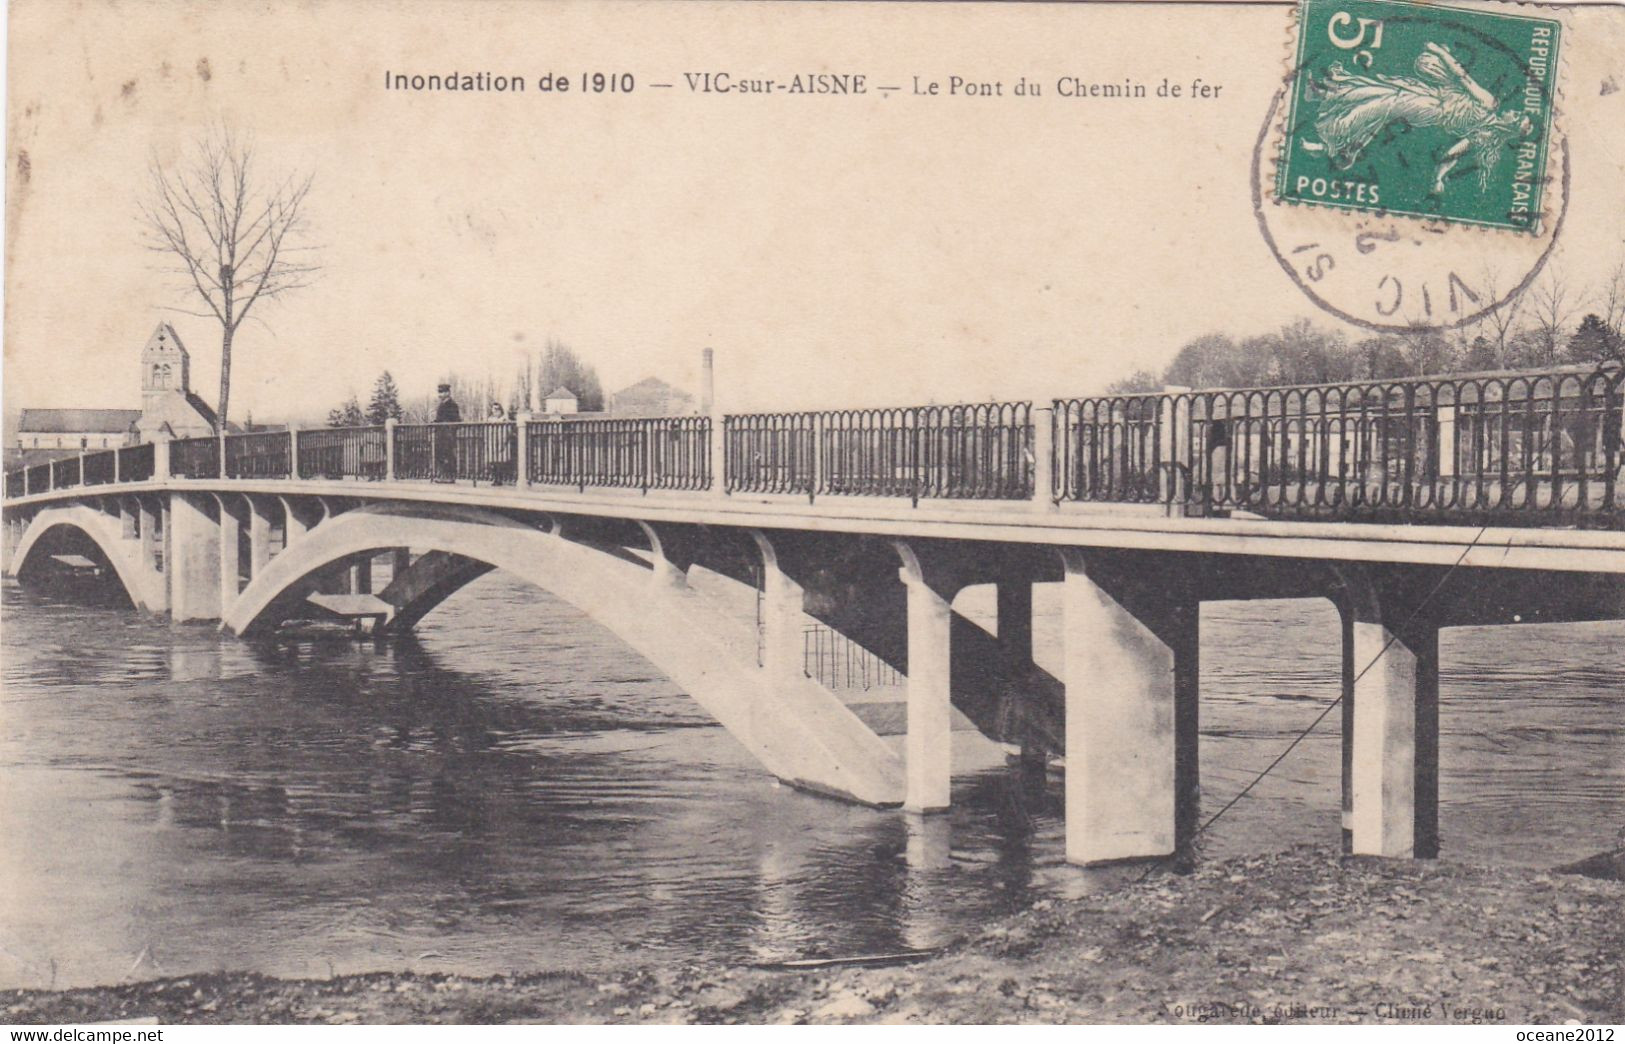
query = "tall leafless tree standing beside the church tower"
{"x": 235, "y": 235}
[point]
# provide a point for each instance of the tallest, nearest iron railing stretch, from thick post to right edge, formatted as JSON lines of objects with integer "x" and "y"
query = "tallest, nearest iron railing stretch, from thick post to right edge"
{"x": 1454, "y": 450}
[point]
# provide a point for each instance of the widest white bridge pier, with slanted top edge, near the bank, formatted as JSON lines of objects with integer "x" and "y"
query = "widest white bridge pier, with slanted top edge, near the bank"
{"x": 1132, "y": 685}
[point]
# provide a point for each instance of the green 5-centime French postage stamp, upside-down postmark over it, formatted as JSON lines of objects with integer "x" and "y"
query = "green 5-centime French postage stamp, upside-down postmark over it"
{"x": 1421, "y": 110}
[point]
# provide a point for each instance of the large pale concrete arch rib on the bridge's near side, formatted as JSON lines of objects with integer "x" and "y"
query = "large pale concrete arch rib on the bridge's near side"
{"x": 795, "y": 728}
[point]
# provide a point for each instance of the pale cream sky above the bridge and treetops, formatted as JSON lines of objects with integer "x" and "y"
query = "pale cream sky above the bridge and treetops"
{"x": 833, "y": 251}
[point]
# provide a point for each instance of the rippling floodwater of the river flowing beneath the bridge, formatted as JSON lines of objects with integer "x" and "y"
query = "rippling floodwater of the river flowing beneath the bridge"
{"x": 518, "y": 791}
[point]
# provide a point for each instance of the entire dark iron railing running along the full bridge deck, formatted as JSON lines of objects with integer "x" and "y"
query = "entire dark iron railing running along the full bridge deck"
{"x": 1510, "y": 448}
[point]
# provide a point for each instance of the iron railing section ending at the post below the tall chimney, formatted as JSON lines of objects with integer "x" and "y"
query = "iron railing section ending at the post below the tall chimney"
{"x": 667, "y": 453}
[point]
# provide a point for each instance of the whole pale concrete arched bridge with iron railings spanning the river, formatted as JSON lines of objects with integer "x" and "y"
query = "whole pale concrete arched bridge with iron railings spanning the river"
{"x": 1411, "y": 505}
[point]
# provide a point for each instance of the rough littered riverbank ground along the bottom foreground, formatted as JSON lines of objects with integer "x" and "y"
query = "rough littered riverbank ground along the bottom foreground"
{"x": 1304, "y": 936}
